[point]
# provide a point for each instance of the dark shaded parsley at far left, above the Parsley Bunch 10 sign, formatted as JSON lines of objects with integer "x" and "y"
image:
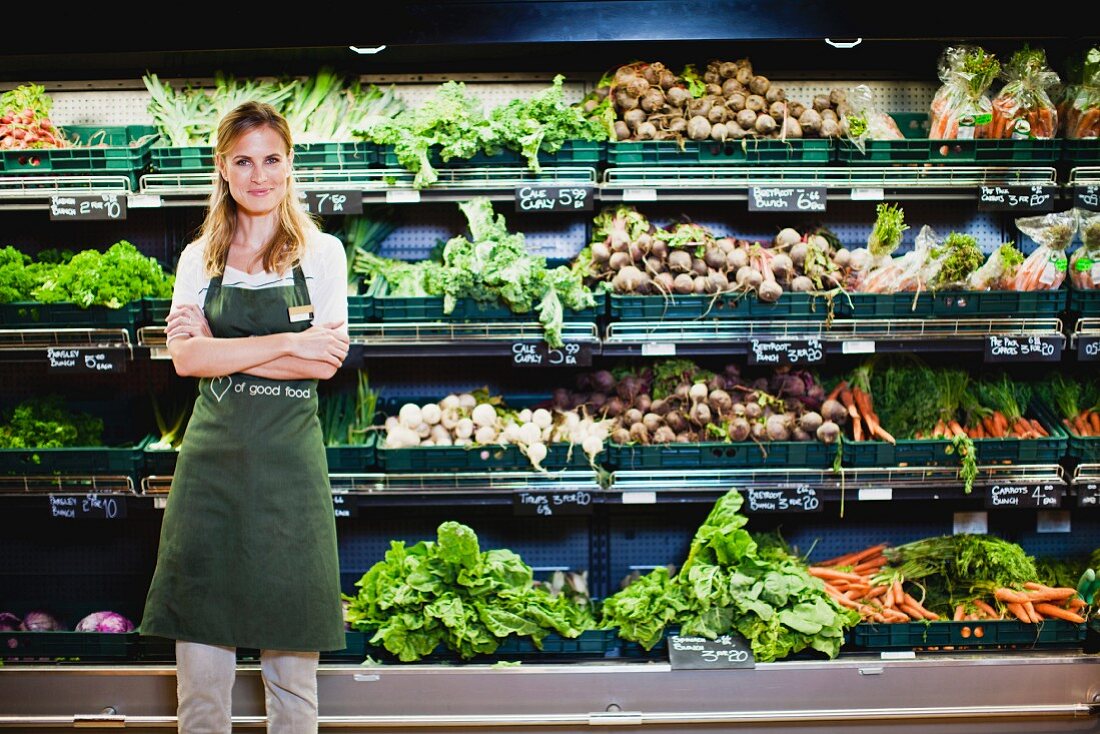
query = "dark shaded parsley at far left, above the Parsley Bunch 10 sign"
{"x": 45, "y": 423}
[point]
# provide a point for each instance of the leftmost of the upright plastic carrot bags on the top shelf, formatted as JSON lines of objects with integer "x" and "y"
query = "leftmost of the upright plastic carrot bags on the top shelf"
{"x": 962, "y": 109}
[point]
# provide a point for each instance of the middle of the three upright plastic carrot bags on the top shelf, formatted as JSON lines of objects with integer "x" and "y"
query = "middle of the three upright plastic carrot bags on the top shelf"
{"x": 1024, "y": 108}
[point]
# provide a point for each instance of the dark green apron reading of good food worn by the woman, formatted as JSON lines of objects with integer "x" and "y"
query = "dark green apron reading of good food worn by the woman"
{"x": 248, "y": 554}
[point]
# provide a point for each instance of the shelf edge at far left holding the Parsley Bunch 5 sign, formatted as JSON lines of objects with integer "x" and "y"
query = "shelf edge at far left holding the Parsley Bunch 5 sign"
{"x": 45, "y": 345}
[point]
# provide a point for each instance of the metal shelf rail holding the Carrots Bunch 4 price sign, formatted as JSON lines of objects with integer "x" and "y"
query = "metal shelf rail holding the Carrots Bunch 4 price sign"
{"x": 894, "y": 484}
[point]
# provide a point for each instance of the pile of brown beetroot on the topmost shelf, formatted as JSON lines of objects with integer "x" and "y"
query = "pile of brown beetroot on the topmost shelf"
{"x": 729, "y": 102}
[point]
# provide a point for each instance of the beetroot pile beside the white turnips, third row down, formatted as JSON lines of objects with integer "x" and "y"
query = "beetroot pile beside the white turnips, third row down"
{"x": 677, "y": 402}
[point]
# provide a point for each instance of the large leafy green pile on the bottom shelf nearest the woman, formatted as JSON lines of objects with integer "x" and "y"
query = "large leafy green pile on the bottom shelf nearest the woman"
{"x": 450, "y": 593}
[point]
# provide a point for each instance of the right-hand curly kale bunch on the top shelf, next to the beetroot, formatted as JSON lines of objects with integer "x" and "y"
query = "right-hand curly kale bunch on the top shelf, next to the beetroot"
{"x": 544, "y": 124}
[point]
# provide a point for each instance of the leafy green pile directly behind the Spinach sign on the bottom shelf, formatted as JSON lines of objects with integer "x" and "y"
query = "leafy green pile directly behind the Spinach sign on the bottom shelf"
{"x": 732, "y": 583}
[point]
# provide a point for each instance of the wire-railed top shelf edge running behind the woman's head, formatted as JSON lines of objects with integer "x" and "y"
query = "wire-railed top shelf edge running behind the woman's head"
{"x": 386, "y": 185}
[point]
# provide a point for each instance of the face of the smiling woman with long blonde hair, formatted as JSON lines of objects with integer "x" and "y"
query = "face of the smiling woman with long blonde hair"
{"x": 257, "y": 170}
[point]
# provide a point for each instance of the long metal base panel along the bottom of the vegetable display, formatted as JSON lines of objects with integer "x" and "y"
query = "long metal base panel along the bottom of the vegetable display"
{"x": 925, "y": 692}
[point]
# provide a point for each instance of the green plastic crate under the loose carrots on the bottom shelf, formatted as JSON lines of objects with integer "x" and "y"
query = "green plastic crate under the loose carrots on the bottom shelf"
{"x": 974, "y": 636}
